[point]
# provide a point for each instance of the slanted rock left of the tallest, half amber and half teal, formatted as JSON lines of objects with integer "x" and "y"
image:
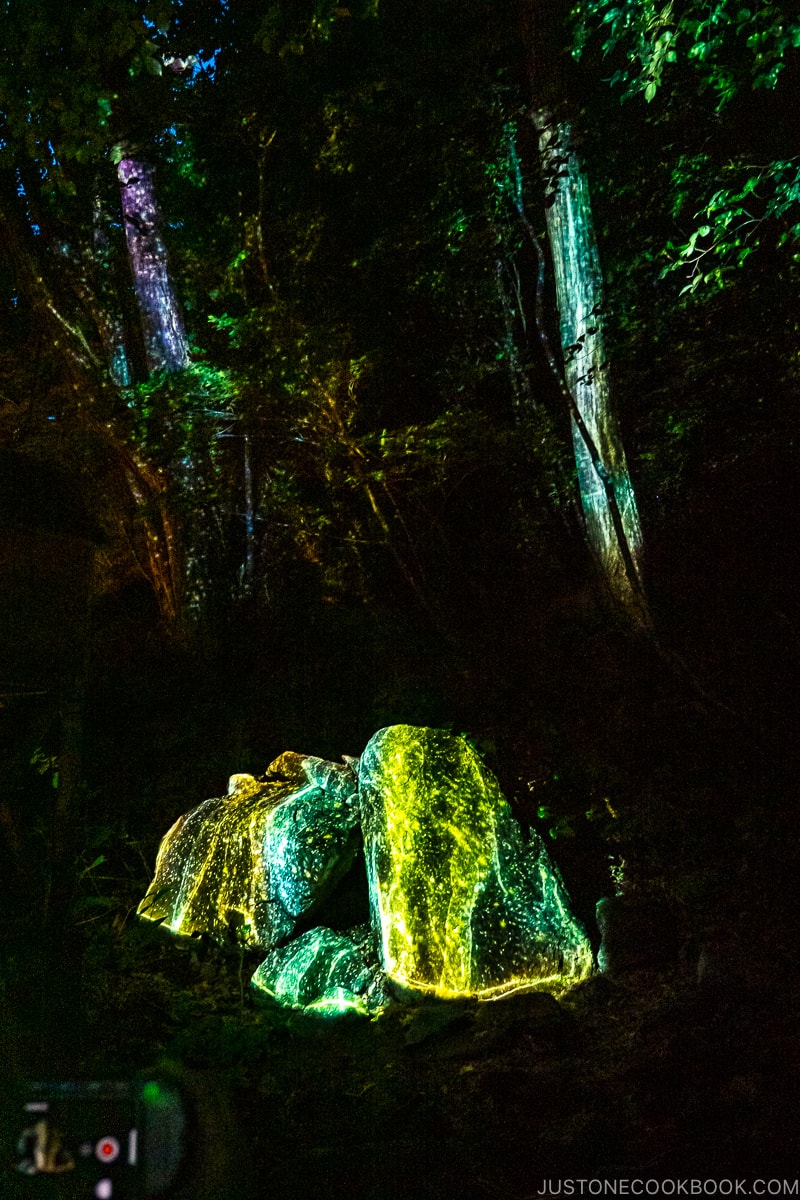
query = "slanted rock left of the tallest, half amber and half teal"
{"x": 256, "y": 861}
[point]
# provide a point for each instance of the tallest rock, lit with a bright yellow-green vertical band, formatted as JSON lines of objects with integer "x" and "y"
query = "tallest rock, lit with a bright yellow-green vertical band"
{"x": 462, "y": 904}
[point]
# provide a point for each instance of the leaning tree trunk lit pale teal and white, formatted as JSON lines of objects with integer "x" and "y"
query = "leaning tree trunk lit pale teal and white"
{"x": 611, "y": 517}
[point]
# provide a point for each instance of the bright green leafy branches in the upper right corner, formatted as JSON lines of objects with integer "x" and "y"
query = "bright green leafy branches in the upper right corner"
{"x": 712, "y": 59}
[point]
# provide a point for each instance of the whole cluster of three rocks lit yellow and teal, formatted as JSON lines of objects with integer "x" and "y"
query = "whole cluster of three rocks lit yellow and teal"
{"x": 461, "y": 904}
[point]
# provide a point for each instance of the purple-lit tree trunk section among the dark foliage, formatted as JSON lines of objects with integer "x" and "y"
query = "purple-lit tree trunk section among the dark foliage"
{"x": 165, "y": 339}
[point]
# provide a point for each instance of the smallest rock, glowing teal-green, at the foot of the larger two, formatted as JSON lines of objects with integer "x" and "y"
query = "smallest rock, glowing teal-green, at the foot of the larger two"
{"x": 324, "y": 973}
